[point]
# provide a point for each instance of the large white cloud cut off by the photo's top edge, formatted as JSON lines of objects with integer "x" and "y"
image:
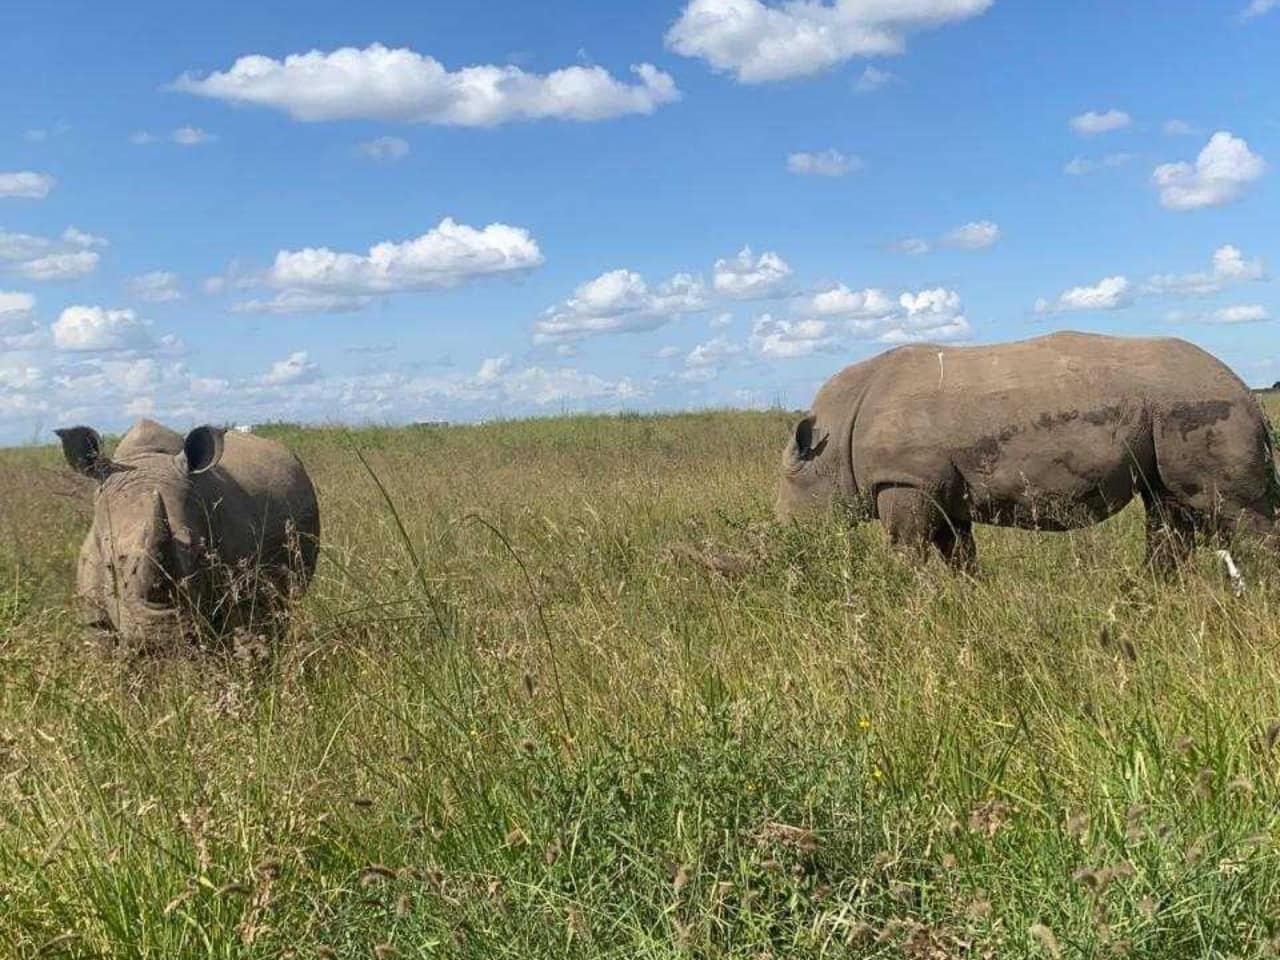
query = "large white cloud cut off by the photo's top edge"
{"x": 760, "y": 43}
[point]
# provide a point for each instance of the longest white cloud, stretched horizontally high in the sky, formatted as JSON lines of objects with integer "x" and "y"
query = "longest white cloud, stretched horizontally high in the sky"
{"x": 406, "y": 86}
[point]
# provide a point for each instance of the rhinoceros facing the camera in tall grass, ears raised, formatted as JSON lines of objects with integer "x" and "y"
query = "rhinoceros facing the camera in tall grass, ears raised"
{"x": 218, "y": 528}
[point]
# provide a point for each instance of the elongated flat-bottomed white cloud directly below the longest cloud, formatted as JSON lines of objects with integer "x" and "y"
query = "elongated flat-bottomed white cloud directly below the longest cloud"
{"x": 446, "y": 257}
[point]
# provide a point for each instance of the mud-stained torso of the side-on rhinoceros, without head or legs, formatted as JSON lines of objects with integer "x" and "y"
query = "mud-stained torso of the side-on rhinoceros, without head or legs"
{"x": 1071, "y": 424}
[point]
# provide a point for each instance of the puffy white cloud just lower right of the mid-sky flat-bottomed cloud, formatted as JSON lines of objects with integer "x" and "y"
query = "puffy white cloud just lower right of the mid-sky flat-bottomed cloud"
{"x": 620, "y": 301}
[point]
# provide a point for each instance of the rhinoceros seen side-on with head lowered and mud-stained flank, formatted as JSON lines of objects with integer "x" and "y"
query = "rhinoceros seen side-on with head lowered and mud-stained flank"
{"x": 1053, "y": 433}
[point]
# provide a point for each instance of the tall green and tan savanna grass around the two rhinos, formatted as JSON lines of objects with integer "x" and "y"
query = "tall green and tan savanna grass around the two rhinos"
{"x": 566, "y": 689}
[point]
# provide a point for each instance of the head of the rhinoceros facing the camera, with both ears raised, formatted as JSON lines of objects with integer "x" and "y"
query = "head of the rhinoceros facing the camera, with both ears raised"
{"x": 147, "y": 543}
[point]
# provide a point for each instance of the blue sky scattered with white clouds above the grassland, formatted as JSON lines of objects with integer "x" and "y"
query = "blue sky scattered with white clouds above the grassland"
{"x": 456, "y": 211}
